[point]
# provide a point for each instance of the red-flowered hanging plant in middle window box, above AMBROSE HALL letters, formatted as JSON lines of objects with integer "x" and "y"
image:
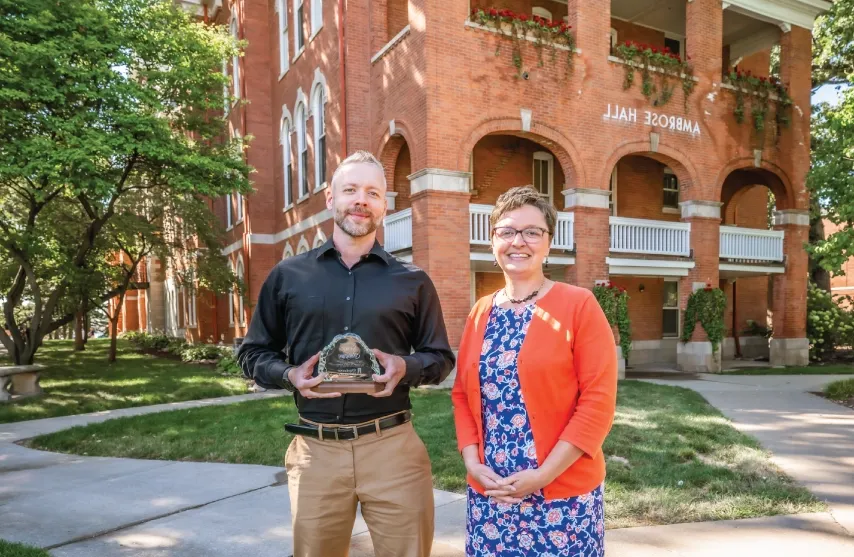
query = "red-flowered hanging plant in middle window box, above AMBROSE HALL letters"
{"x": 669, "y": 69}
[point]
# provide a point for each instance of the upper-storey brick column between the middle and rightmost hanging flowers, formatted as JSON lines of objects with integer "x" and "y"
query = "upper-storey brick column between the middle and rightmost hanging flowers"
{"x": 704, "y": 31}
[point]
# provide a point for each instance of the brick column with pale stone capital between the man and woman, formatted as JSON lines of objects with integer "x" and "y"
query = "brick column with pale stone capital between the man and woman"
{"x": 440, "y": 240}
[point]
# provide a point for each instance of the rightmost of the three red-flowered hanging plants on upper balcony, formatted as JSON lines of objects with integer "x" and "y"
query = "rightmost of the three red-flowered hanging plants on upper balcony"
{"x": 762, "y": 92}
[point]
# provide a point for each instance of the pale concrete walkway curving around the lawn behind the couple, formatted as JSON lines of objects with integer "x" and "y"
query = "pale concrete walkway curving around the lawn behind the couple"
{"x": 110, "y": 507}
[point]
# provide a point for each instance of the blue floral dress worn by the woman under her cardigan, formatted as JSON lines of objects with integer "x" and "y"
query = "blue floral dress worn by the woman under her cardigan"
{"x": 572, "y": 527}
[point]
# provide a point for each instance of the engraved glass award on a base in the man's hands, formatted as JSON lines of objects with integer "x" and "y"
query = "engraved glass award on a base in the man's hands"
{"x": 349, "y": 366}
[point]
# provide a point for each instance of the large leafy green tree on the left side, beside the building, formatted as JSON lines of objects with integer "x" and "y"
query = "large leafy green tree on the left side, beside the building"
{"x": 99, "y": 100}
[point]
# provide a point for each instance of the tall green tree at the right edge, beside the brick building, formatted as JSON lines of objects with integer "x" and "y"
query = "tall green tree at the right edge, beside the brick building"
{"x": 831, "y": 178}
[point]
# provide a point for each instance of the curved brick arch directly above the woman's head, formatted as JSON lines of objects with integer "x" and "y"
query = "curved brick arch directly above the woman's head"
{"x": 563, "y": 149}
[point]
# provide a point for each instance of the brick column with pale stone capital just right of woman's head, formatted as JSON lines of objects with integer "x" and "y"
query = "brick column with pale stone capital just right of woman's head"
{"x": 592, "y": 235}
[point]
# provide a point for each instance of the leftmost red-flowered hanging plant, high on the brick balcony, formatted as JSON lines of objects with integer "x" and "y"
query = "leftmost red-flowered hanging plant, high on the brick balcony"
{"x": 546, "y": 33}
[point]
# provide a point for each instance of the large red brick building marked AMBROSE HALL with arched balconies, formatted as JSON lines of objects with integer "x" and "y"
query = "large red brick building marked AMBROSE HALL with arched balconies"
{"x": 660, "y": 198}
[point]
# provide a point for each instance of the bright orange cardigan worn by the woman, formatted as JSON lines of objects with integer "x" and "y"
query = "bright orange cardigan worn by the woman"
{"x": 568, "y": 376}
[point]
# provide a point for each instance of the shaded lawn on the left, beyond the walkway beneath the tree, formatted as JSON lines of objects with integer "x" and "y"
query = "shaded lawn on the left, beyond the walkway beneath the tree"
{"x": 82, "y": 382}
